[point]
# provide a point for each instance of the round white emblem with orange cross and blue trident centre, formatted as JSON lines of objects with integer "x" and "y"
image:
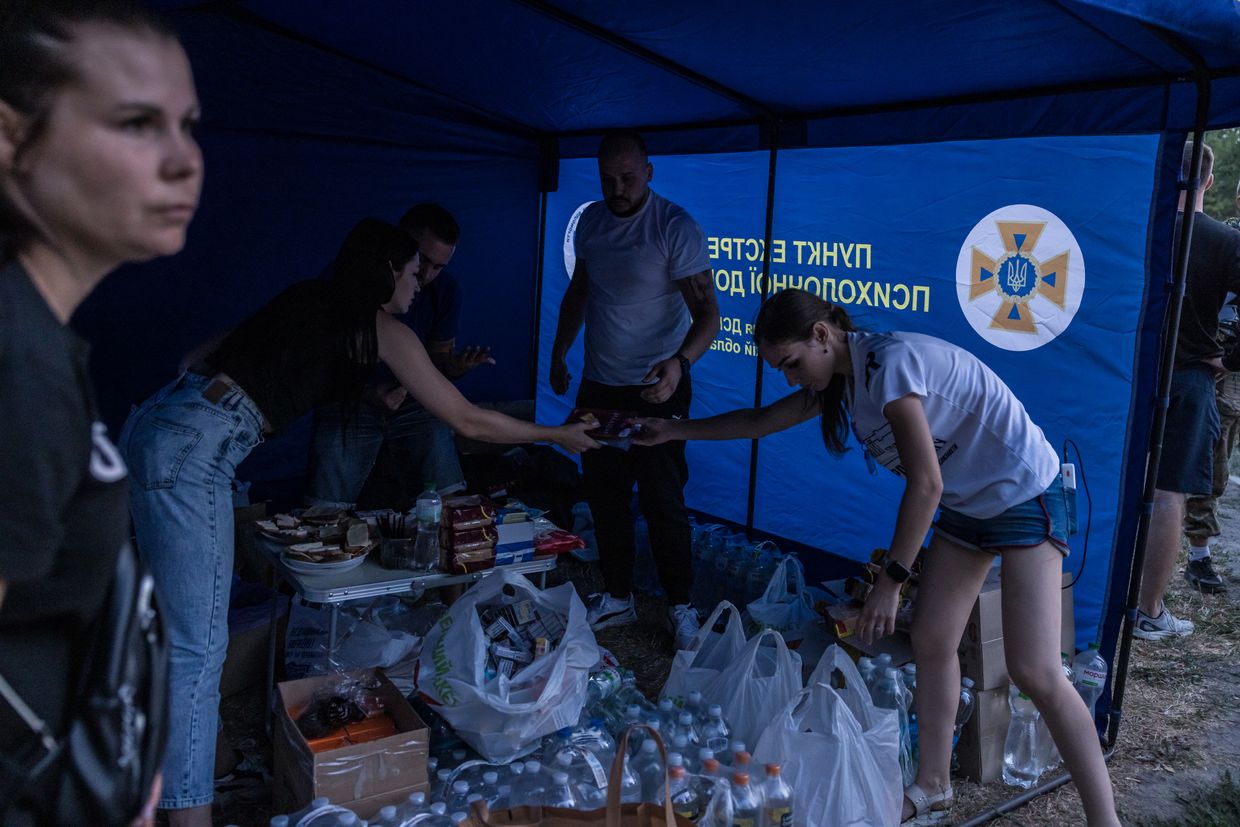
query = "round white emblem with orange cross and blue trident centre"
{"x": 1020, "y": 277}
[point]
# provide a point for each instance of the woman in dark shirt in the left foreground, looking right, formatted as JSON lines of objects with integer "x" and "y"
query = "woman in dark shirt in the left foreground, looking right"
{"x": 99, "y": 167}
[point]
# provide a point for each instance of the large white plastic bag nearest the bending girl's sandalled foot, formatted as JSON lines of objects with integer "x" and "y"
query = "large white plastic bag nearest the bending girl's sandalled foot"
{"x": 840, "y": 753}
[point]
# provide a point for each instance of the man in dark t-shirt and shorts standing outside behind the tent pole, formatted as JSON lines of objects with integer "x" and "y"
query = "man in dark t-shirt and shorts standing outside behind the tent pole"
{"x": 1192, "y": 428}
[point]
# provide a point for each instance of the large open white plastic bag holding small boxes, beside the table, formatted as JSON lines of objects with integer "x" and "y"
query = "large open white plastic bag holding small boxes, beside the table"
{"x": 505, "y": 719}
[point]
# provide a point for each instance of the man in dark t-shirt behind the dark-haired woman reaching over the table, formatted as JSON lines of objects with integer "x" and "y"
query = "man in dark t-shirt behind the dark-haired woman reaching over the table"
{"x": 347, "y": 444}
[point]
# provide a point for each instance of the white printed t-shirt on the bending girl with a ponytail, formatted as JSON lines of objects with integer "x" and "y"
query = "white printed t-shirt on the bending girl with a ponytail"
{"x": 993, "y": 457}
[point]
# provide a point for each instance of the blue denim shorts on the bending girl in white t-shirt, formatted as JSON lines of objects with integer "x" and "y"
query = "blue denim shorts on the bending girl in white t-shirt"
{"x": 1030, "y": 524}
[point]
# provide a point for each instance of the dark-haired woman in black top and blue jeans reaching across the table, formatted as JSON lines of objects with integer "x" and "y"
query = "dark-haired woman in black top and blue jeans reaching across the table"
{"x": 314, "y": 344}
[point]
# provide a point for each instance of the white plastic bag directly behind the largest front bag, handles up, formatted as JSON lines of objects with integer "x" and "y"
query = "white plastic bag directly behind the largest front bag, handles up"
{"x": 763, "y": 679}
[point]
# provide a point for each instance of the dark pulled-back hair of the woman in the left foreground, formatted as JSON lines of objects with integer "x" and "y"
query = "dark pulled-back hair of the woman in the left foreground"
{"x": 35, "y": 63}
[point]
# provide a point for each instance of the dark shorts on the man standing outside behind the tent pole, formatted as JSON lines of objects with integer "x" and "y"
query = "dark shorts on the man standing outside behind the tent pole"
{"x": 1187, "y": 463}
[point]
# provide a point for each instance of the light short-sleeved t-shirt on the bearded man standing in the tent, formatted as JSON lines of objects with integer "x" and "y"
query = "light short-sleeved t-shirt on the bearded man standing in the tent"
{"x": 635, "y": 314}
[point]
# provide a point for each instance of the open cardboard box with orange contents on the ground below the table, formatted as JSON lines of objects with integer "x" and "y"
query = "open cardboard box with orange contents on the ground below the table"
{"x": 379, "y": 772}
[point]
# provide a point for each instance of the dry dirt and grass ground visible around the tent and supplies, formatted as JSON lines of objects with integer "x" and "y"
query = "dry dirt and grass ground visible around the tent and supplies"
{"x": 1181, "y": 726}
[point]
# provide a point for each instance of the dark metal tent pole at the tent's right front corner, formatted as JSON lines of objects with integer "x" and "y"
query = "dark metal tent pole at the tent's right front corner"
{"x": 1180, "y": 271}
